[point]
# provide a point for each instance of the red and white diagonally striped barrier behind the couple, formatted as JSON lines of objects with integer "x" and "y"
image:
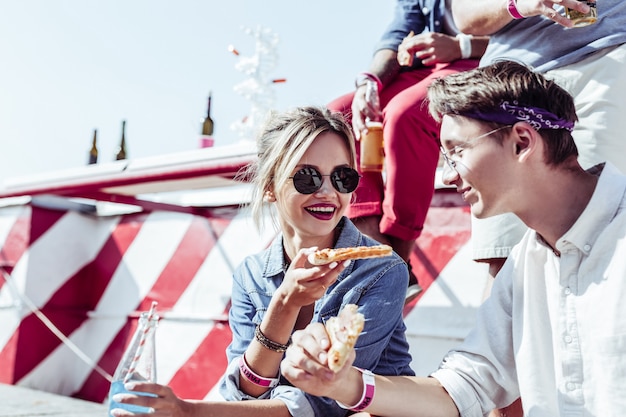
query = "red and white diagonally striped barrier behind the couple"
{"x": 91, "y": 275}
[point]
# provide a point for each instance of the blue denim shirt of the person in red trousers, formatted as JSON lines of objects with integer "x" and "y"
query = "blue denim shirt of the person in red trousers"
{"x": 412, "y": 15}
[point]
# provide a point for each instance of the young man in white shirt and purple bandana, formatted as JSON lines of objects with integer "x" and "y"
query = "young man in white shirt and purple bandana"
{"x": 553, "y": 330}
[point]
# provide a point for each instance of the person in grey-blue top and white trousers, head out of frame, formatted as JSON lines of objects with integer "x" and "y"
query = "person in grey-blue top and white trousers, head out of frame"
{"x": 587, "y": 61}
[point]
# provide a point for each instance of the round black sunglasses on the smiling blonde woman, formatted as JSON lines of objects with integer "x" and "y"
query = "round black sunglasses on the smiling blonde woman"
{"x": 308, "y": 180}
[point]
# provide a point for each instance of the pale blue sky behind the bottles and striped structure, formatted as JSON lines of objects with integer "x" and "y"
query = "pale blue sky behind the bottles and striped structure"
{"x": 71, "y": 66}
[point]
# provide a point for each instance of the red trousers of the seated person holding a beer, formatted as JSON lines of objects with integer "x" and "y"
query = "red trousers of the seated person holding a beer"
{"x": 411, "y": 138}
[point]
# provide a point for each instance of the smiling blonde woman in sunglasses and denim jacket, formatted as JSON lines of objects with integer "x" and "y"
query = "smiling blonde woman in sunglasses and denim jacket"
{"x": 306, "y": 170}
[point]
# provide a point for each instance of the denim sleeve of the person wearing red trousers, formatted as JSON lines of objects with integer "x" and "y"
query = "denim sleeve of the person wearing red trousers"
{"x": 407, "y": 17}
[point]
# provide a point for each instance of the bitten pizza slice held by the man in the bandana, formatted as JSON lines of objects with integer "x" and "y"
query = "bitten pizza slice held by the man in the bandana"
{"x": 343, "y": 331}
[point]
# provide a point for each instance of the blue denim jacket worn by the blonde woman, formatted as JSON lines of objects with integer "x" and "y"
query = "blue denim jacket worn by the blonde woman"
{"x": 376, "y": 285}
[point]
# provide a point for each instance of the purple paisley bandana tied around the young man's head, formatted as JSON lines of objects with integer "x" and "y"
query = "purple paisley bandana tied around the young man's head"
{"x": 510, "y": 114}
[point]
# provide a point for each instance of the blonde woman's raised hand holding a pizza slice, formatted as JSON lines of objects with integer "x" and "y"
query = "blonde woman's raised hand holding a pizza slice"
{"x": 305, "y": 283}
